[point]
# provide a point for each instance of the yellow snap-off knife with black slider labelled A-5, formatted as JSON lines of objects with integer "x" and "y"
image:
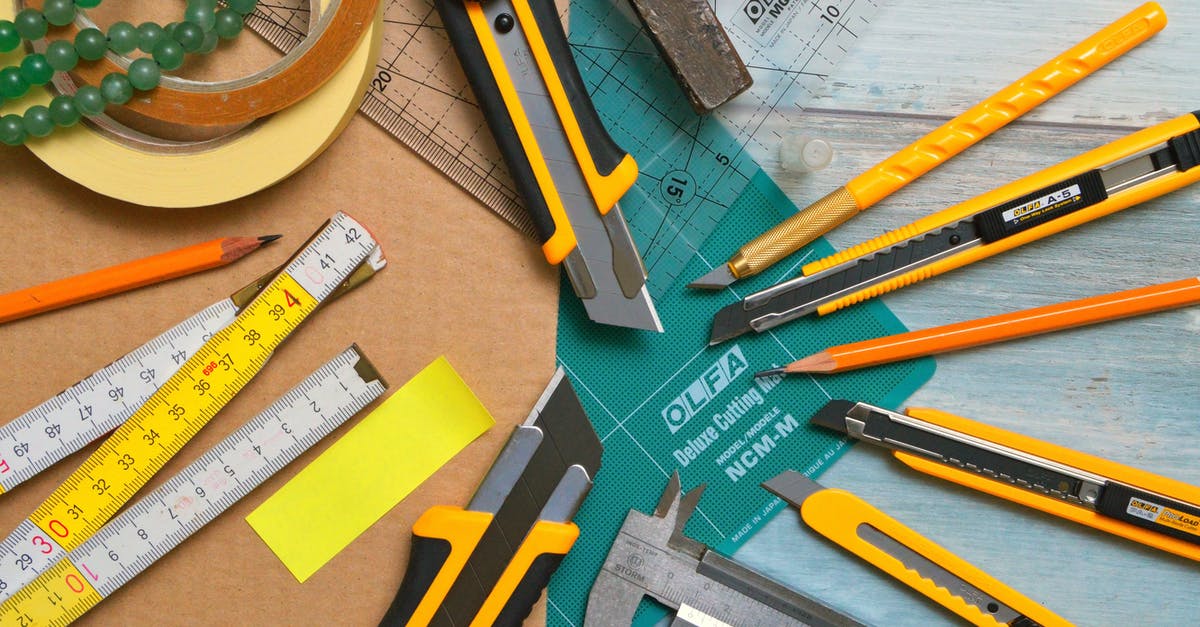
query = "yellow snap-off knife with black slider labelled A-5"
{"x": 1132, "y": 170}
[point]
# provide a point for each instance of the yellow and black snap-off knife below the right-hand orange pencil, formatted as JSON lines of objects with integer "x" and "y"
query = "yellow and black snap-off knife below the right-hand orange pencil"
{"x": 1129, "y": 503}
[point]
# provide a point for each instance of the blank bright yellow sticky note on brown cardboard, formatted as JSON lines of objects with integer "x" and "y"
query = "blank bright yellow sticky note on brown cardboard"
{"x": 371, "y": 469}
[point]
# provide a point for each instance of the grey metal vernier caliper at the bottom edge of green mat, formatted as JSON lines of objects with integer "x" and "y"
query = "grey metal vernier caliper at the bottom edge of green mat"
{"x": 653, "y": 558}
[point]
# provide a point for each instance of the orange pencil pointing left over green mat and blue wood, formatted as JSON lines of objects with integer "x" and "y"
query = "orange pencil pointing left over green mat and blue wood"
{"x": 998, "y": 329}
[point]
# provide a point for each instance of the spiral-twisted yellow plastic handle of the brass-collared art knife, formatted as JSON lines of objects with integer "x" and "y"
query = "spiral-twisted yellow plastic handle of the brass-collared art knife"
{"x": 1007, "y": 105}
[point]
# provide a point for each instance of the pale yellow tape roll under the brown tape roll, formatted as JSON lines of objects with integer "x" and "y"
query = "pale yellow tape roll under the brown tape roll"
{"x": 173, "y": 175}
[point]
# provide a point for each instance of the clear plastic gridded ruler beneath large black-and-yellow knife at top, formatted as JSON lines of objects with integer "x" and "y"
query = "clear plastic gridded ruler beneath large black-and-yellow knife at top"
{"x": 693, "y": 169}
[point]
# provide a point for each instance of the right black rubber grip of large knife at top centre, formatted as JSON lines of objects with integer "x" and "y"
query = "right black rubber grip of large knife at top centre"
{"x": 607, "y": 154}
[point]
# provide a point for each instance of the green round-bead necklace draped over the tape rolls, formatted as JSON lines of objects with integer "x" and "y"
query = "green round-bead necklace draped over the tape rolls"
{"x": 202, "y": 28}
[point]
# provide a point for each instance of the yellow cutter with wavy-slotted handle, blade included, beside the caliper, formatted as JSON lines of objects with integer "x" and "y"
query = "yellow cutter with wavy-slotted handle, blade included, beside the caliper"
{"x": 909, "y": 557}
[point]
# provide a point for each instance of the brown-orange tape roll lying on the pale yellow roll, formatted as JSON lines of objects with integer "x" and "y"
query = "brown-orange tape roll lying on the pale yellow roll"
{"x": 237, "y": 103}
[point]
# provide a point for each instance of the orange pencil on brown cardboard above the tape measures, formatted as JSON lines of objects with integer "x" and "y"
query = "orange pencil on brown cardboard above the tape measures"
{"x": 125, "y": 277}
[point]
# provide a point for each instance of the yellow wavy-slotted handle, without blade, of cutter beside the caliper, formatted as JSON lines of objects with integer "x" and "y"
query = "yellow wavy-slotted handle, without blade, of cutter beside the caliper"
{"x": 838, "y": 516}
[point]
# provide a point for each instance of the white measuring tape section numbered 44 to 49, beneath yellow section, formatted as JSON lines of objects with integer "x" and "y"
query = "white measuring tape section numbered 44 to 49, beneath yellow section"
{"x": 40, "y": 438}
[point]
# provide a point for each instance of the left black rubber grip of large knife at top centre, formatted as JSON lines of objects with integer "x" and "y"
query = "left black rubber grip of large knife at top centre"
{"x": 488, "y": 94}
